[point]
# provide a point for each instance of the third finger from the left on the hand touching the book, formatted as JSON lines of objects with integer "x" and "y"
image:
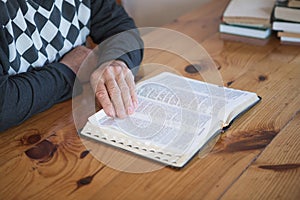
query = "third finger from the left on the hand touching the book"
{"x": 126, "y": 96}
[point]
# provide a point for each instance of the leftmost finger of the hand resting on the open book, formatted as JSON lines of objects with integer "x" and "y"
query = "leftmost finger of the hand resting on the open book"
{"x": 103, "y": 98}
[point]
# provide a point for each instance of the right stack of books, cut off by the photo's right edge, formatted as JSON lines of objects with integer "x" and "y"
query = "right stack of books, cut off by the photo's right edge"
{"x": 287, "y": 21}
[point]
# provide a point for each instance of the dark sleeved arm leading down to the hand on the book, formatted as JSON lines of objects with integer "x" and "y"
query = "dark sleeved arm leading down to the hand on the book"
{"x": 109, "y": 19}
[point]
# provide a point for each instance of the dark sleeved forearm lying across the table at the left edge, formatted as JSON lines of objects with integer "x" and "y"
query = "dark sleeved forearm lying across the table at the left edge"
{"x": 26, "y": 94}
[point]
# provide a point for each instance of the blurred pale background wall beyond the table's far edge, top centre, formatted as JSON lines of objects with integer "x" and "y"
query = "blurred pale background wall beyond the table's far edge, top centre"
{"x": 158, "y": 12}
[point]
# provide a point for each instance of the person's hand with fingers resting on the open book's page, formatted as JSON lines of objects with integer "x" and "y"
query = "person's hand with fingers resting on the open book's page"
{"x": 114, "y": 88}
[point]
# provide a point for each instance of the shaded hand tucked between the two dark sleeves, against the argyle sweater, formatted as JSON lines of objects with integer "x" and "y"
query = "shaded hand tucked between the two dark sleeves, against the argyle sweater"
{"x": 75, "y": 58}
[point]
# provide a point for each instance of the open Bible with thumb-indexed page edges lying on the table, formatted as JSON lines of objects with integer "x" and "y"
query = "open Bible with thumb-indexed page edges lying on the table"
{"x": 175, "y": 118}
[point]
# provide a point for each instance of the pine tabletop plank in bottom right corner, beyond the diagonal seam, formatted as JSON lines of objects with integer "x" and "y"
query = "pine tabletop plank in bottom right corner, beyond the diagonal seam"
{"x": 276, "y": 172}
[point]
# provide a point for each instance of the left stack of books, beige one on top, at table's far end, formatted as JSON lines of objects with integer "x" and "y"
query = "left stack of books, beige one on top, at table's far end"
{"x": 248, "y": 18}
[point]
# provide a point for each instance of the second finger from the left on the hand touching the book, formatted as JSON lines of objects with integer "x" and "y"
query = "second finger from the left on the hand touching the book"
{"x": 116, "y": 97}
